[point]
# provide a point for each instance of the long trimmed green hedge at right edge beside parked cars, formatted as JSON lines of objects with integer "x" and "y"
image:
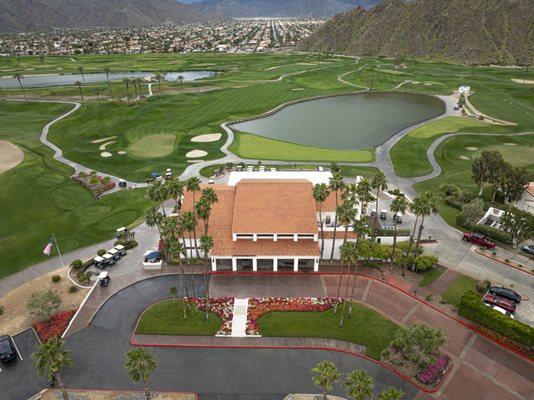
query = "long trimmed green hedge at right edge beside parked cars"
{"x": 472, "y": 307}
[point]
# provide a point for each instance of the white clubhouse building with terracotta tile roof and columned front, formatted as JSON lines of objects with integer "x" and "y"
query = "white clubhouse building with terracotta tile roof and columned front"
{"x": 269, "y": 220}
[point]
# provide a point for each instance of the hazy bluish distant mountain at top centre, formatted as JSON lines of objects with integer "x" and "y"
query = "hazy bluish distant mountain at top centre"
{"x": 279, "y": 8}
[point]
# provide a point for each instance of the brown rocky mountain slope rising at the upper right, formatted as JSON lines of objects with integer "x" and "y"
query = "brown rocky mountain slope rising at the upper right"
{"x": 475, "y": 31}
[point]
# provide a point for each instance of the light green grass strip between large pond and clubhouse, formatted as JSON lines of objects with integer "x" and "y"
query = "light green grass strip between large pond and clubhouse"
{"x": 256, "y": 147}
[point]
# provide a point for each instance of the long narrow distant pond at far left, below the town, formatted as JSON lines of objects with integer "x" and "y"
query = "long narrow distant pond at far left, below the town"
{"x": 70, "y": 79}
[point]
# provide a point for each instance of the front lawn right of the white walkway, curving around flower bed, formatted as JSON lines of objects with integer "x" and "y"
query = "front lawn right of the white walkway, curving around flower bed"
{"x": 365, "y": 327}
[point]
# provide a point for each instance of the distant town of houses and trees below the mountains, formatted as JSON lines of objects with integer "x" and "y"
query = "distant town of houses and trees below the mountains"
{"x": 235, "y": 36}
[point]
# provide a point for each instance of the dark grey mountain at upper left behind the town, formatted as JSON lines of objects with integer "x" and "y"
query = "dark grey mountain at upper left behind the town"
{"x": 36, "y": 15}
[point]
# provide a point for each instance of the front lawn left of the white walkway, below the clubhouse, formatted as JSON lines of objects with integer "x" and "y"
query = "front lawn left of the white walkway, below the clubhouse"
{"x": 166, "y": 318}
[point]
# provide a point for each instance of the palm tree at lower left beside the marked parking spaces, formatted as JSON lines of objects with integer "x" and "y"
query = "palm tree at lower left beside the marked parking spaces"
{"x": 50, "y": 361}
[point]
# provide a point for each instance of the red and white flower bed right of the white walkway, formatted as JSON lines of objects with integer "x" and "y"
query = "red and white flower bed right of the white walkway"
{"x": 259, "y": 306}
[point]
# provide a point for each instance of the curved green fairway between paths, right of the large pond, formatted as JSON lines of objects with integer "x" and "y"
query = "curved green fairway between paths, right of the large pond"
{"x": 409, "y": 157}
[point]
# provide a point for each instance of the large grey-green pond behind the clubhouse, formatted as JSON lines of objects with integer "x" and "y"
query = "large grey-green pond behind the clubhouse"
{"x": 345, "y": 122}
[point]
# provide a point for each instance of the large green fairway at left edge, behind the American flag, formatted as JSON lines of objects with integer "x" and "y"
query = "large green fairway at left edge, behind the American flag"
{"x": 39, "y": 199}
